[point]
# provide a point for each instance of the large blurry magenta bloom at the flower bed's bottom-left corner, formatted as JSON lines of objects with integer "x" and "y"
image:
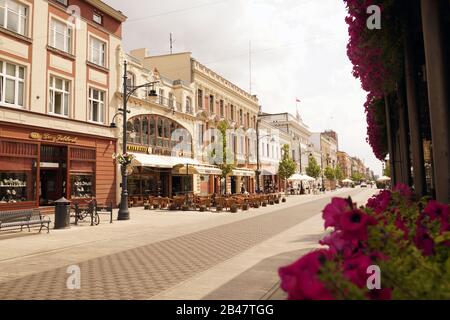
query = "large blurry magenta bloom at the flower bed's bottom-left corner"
{"x": 300, "y": 280}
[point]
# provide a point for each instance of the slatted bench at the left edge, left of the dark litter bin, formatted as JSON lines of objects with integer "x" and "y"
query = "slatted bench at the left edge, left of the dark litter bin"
{"x": 23, "y": 218}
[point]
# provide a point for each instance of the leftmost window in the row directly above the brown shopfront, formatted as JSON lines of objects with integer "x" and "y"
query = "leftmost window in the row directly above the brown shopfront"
{"x": 12, "y": 84}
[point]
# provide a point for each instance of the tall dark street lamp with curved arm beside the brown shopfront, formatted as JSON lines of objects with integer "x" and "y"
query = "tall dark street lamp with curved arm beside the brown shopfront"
{"x": 128, "y": 90}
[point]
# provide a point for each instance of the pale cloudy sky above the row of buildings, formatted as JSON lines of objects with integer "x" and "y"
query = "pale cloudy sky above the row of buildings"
{"x": 298, "y": 50}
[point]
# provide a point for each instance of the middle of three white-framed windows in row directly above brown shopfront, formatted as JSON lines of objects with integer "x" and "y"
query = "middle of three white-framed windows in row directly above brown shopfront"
{"x": 59, "y": 96}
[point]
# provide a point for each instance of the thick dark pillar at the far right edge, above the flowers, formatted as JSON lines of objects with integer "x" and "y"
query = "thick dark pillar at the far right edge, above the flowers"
{"x": 437, "y": 63}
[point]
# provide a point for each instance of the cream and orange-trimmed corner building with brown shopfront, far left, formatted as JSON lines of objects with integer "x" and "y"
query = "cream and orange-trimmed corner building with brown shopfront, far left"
{"x": 57, "y": 78}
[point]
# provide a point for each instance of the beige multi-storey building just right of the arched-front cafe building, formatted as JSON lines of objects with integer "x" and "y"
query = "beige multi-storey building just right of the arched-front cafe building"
{"x": 216, "y": 100}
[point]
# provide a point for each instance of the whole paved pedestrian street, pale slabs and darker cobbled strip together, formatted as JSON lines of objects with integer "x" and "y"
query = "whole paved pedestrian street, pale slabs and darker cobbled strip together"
{"x": 165, "y": 255}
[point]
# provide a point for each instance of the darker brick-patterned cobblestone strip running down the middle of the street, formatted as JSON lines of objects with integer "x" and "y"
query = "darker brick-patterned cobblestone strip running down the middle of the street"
{"x": 145, "y": 271}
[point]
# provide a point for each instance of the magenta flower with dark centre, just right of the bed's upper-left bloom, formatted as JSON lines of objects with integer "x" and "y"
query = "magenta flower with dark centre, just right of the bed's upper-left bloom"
{"x": 354, "y": 223}
